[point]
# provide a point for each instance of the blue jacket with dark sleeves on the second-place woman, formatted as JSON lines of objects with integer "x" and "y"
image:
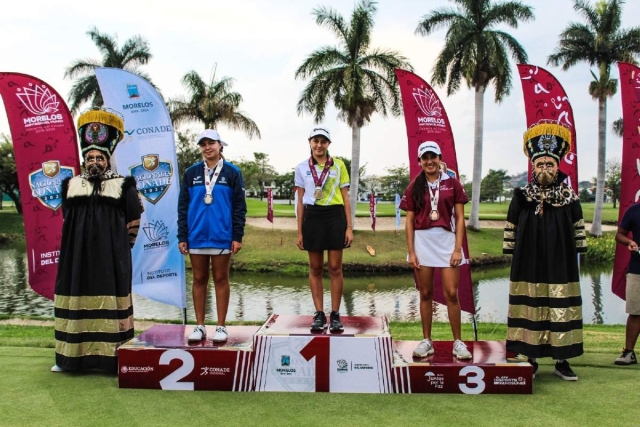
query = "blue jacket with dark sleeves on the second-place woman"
{"x": 218, "y": 224}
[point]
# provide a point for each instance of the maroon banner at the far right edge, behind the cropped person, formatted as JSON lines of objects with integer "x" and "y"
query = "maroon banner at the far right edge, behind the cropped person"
{"x": 630, "y": 168}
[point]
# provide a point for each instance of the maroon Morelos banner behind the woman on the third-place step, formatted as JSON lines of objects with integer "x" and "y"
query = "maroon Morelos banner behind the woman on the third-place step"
{"x": 426, "y": 120}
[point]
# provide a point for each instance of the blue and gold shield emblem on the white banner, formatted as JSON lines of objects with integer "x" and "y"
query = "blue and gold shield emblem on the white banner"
{"x": 153, "y": 177}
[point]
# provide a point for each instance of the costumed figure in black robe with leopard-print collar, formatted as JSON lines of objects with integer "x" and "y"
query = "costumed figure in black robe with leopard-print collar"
{"x": 545, "y": 232}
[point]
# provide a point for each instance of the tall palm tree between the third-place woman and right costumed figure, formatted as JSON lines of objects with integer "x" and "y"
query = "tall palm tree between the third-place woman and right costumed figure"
{"x": 476, "y": 52}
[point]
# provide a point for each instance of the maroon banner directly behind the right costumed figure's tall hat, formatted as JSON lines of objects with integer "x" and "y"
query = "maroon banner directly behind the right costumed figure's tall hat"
{"x": 545, "y": 98}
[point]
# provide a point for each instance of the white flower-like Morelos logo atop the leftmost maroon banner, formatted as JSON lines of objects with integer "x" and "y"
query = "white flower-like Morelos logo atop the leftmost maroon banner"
{"x": 40, "y": 102}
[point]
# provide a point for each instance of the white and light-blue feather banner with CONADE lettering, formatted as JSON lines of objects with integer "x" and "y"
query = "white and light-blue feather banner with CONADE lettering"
{"x": 148, "y": 153}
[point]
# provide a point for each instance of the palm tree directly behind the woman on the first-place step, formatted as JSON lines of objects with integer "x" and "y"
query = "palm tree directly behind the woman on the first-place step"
{"x": 358, "y": 79}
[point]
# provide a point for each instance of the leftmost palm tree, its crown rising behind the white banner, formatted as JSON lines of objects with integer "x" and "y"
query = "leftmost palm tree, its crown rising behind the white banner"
{"x": 133, "y": 53}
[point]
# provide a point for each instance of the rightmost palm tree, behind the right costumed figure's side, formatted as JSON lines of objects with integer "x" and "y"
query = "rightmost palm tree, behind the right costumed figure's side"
{"x": 599, "y": 42}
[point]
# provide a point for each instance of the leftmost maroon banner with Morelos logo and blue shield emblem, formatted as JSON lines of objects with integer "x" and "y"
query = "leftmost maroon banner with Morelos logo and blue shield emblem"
{"x": 46, "y": 152}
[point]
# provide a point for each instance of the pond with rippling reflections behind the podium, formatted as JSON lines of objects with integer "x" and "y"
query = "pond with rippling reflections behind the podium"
{"x": 256, "y": 296}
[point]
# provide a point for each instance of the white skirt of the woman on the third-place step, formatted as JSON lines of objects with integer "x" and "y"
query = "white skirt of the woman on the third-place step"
{"x": 434, "y": 247}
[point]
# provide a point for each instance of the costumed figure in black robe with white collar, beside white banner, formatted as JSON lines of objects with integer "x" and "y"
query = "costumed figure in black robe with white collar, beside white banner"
{"x": 101, "y": 210}
